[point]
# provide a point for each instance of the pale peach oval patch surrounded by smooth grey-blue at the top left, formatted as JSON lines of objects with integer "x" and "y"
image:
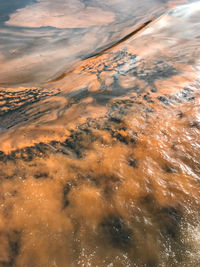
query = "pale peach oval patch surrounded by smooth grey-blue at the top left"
{"x": 60, "y": 14}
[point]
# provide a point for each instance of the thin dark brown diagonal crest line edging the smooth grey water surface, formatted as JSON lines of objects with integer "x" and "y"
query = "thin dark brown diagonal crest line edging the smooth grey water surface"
{"x": 99, "y": 53}
